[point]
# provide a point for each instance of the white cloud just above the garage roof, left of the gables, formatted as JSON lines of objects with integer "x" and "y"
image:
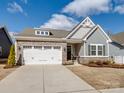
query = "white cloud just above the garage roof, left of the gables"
{"x": 59, "y": 21}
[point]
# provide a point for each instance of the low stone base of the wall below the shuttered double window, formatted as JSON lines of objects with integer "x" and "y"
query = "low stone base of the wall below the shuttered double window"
{"x": 84, "y": 60}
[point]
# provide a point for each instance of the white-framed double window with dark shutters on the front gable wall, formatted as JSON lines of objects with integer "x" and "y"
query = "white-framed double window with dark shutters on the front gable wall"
{"x": 96, "y": 50}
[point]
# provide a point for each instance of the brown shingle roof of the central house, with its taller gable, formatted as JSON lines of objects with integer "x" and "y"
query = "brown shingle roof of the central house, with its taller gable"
{"x": 81, "y": 31}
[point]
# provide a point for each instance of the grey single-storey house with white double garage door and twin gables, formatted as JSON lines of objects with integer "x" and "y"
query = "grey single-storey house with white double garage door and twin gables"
{"x": 86, "y": 41}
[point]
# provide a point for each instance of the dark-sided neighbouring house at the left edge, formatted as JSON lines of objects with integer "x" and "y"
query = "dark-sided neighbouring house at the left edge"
{"x": 5, "y": 42}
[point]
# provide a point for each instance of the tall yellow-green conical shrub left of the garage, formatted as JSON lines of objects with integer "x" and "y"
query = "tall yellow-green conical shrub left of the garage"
{"x": 11, "y": 58}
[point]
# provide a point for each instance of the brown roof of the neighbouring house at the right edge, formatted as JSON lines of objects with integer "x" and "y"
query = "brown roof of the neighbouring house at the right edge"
{"x": 119, "y": 37}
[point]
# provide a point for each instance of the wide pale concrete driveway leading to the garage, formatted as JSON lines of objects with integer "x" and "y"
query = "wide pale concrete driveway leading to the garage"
{"x": 44, "y": 79}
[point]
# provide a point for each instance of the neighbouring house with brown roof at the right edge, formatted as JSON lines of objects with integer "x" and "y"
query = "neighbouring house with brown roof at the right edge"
{"x": 118, "y": 52}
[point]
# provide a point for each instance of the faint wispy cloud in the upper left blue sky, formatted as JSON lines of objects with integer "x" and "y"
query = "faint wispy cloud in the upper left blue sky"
{"x": 15, "y": 8}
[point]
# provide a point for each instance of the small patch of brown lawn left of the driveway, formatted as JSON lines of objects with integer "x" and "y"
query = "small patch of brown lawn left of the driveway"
{"x": 5, "y": 72}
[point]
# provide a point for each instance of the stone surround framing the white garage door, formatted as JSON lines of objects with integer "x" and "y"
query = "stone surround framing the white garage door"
{"x": 20, "y": 45}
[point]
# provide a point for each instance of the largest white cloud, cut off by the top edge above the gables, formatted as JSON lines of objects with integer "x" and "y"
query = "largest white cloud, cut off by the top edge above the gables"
{"x": 87, "y": 7}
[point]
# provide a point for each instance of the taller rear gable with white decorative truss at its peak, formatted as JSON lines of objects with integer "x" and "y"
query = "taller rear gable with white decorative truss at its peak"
{"x": 81, "y": 29}
